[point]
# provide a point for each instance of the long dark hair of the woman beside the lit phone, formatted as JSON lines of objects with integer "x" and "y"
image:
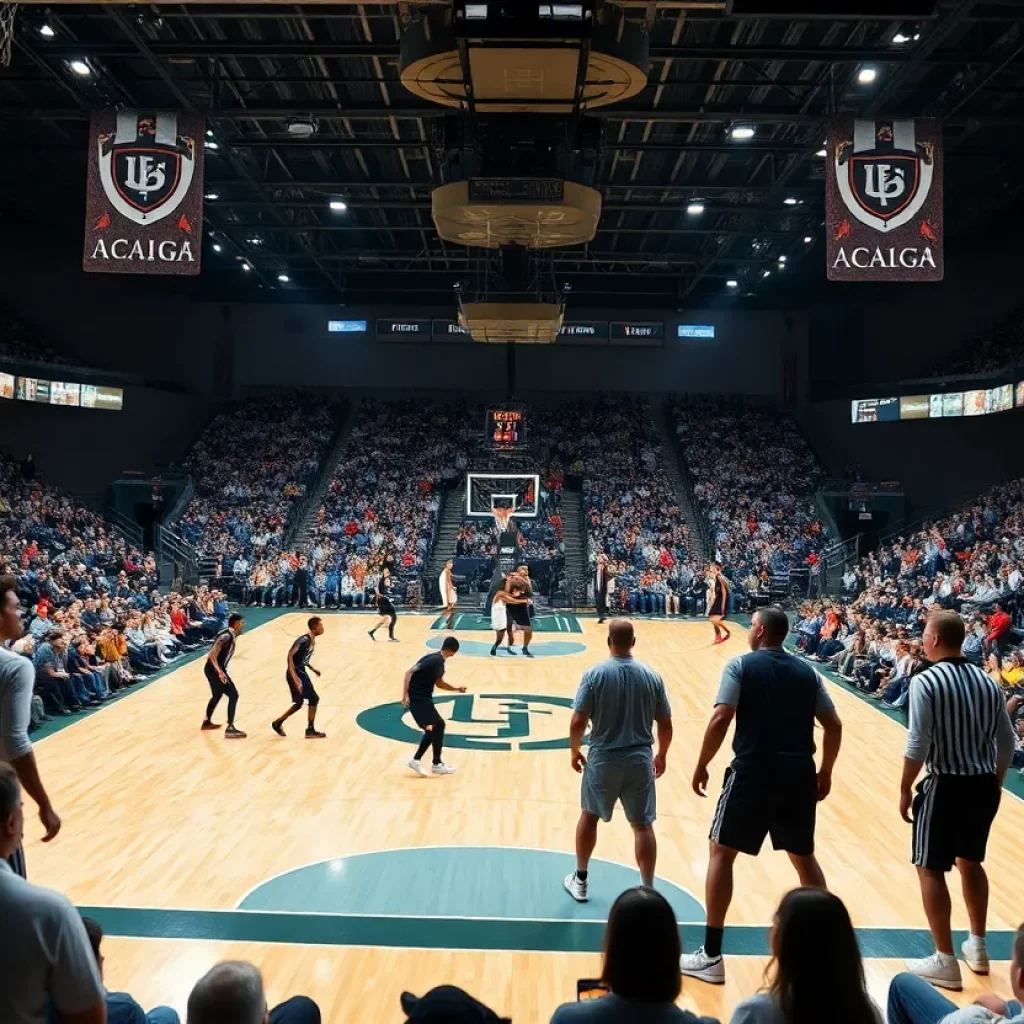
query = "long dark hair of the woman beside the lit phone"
{"x": 643, "y": 948}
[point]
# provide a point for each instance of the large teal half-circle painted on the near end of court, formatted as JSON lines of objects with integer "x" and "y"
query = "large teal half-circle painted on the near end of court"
{"x": 460, "y": 882}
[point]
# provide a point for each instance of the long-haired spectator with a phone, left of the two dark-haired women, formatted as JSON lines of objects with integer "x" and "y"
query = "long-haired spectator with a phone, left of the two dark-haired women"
{"x": 642, "y": 967}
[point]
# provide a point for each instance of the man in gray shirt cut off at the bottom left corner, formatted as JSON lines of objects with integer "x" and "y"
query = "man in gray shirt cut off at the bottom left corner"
{"x": 46, "y": 958}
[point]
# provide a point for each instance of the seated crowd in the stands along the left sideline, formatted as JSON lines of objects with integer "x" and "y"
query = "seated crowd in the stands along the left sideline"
{"x": 98, "y": 622}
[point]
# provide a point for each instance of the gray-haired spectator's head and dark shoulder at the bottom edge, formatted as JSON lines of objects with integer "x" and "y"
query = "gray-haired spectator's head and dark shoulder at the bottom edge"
{"x": 232, "y": 993}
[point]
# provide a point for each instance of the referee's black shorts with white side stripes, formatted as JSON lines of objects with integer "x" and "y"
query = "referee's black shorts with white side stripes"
{"x": 953, "y": 817}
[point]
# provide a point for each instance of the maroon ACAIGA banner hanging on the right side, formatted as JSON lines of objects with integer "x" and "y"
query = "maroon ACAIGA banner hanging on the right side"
{"x": 884, "y": 200}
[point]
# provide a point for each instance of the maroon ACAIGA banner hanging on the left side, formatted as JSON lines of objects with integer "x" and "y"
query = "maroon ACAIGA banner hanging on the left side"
{"x": 144, "y": 207}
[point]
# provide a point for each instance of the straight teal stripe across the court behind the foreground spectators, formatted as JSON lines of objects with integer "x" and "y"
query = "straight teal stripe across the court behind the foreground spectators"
{"x": 449, "y": 933}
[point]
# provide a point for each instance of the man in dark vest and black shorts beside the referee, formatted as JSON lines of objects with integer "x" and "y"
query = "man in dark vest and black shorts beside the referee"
{"x": 773, "y": 787}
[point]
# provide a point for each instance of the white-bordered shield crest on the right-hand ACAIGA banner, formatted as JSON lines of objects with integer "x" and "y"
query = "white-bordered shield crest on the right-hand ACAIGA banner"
{"x": 884, "y": 175}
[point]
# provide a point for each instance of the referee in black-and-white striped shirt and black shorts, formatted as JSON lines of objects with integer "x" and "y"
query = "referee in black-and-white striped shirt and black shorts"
{"x": 961, "y": 734}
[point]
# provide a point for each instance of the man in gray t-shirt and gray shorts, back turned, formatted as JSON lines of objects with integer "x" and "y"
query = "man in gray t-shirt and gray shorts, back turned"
{"x": 621, "y": 699}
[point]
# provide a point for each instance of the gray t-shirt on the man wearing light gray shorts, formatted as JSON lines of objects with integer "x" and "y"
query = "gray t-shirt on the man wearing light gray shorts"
{"x": 623, "y": 698}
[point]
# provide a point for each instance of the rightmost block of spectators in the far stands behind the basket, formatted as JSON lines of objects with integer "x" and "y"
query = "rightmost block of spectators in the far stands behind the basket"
{"x": 754, "y": 479}
